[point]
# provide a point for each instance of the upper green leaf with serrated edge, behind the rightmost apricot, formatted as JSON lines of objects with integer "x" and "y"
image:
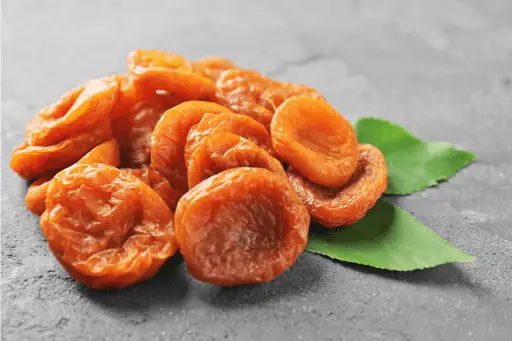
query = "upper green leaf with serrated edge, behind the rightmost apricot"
{"x": 413, "y": 164}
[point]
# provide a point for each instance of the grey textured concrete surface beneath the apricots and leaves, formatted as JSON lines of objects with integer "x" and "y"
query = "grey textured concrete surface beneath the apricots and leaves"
{"x": 441, "y": 68}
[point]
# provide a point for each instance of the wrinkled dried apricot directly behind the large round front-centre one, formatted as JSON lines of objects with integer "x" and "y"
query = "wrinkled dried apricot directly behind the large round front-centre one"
{"x": 219, "y": 152}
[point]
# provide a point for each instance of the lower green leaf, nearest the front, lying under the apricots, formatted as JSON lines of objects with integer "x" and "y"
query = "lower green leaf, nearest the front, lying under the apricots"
{"x": 386, "y": 238}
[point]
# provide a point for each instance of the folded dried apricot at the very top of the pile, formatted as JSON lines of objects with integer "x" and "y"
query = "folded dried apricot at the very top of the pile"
{"x": 156, "y": 70}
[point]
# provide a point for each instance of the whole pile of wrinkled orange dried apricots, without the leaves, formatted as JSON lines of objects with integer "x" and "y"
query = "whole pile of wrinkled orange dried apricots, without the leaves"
{"x": 223, "y": 164}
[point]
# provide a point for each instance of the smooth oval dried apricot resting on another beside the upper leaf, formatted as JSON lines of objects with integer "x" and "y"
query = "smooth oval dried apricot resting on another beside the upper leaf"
{"x": 316, "y": 140}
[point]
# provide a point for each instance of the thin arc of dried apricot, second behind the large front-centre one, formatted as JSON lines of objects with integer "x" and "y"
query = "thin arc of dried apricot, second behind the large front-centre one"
{"x": 244, "y": 126}
